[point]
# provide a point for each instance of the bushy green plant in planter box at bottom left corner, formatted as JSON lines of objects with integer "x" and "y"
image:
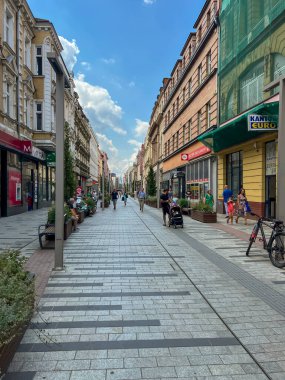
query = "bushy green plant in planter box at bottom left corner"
{"x": 17, "y": 298}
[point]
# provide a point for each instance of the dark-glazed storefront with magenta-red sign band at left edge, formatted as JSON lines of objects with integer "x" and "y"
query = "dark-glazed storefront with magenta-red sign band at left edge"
{"x": 25, "y": 178}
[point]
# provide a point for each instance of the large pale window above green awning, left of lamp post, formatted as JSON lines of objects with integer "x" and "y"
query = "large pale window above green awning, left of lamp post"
{"x": 251, "y": 87}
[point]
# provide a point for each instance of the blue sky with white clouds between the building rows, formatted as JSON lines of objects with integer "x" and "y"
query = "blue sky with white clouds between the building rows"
{"x": 119, "y": 51}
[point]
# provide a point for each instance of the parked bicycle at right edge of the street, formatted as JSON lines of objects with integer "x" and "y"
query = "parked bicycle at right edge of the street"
{"x": 275, "y": 244}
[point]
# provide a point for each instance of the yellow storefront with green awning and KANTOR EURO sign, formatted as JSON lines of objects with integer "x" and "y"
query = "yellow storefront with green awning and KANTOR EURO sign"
{"x": 246, "y": 149}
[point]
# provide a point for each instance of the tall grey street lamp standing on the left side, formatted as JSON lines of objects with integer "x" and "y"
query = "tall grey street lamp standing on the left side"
{"x": 61, "y": 82}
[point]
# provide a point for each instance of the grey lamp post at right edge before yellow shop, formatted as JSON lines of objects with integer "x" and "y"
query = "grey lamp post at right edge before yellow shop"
{"x": 280, "y": 212}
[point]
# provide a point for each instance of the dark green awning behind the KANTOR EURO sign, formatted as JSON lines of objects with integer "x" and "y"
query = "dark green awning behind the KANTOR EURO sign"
{"x": 236, "y": 131}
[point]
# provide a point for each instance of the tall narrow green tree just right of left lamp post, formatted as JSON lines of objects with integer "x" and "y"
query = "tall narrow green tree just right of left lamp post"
{"x": 69, "y": 177}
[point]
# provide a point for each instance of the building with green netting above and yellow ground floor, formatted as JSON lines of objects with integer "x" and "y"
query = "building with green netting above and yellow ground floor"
{"x": 252, "y": 54}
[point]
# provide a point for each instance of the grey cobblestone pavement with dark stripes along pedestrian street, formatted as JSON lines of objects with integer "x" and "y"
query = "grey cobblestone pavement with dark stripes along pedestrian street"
{"x": 141, "y": 301}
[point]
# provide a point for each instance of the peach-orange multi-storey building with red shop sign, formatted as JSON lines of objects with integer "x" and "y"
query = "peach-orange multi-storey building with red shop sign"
{"x": 190, "y": 109}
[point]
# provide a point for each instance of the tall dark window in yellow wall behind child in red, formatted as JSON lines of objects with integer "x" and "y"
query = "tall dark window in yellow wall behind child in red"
{"x": 234, "y": 171}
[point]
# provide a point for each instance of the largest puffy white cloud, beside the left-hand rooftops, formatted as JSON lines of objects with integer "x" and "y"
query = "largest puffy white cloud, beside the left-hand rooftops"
{"x": 101, "y": 109}
